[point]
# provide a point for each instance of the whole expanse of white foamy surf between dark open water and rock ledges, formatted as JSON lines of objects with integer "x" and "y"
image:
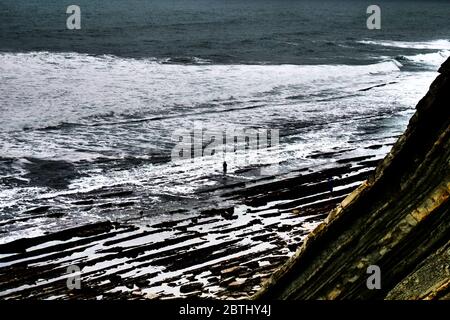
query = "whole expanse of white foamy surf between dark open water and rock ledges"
{"x": 41, "y": 89}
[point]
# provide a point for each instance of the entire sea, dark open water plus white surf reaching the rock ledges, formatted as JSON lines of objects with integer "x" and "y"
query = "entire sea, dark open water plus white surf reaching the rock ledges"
{"x": 97, "y": 107}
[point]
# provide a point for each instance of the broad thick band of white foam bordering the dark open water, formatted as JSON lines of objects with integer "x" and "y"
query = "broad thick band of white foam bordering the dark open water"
{"x": 42, "y": 89}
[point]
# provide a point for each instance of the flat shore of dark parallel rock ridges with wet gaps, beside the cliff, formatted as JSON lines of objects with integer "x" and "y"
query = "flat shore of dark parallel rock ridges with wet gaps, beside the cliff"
{"x": 222, "y": 252}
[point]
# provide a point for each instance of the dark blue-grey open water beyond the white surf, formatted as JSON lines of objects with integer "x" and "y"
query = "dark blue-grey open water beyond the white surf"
{"x": 223, "y": 31}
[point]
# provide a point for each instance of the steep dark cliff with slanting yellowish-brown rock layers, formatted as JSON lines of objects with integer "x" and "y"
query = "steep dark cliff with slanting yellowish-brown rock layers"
{"x": 397, "y": 220}
